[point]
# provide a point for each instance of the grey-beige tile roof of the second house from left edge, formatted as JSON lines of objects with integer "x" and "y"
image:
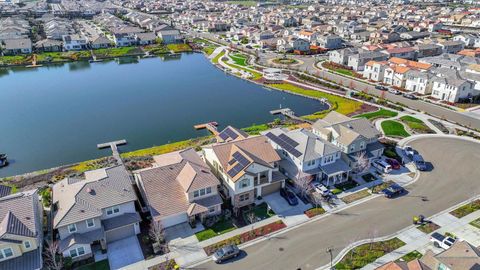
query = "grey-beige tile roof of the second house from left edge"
{"x": 83, "y": 199}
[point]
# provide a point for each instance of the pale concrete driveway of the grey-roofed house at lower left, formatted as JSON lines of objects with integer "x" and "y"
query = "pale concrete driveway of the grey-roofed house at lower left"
{"x": 124, "y": 252}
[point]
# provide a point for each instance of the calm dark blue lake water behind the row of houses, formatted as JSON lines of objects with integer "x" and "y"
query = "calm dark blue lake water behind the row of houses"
{"x": 58, "y": 114}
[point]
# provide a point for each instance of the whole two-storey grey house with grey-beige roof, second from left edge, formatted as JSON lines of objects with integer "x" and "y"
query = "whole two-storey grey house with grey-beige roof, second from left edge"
{"x": 90, "y": 213}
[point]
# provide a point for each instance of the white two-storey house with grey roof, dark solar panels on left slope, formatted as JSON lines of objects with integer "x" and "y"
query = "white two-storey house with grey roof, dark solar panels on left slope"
{"x": 307, "y": 157}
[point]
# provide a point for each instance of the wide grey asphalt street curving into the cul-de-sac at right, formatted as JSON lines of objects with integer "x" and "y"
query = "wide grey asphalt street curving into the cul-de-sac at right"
{"x": 454, "y": 178}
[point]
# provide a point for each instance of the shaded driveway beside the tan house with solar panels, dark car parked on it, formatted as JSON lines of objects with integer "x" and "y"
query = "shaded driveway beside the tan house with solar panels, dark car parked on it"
{"x": 291, "y": 215}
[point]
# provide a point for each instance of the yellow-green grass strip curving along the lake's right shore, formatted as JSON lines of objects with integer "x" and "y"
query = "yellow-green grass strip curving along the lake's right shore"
{"x": 343, "y": 105}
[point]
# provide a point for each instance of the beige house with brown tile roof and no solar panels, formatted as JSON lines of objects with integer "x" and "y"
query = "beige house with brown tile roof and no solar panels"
{"x": 179, "y": 188}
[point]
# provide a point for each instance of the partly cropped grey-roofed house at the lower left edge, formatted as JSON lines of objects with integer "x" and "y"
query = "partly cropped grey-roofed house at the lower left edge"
{"x": 21, "y": 233}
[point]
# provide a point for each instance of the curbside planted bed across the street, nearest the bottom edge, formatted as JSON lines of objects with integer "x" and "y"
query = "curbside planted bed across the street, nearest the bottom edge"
{"x": 368, "y": 253}
